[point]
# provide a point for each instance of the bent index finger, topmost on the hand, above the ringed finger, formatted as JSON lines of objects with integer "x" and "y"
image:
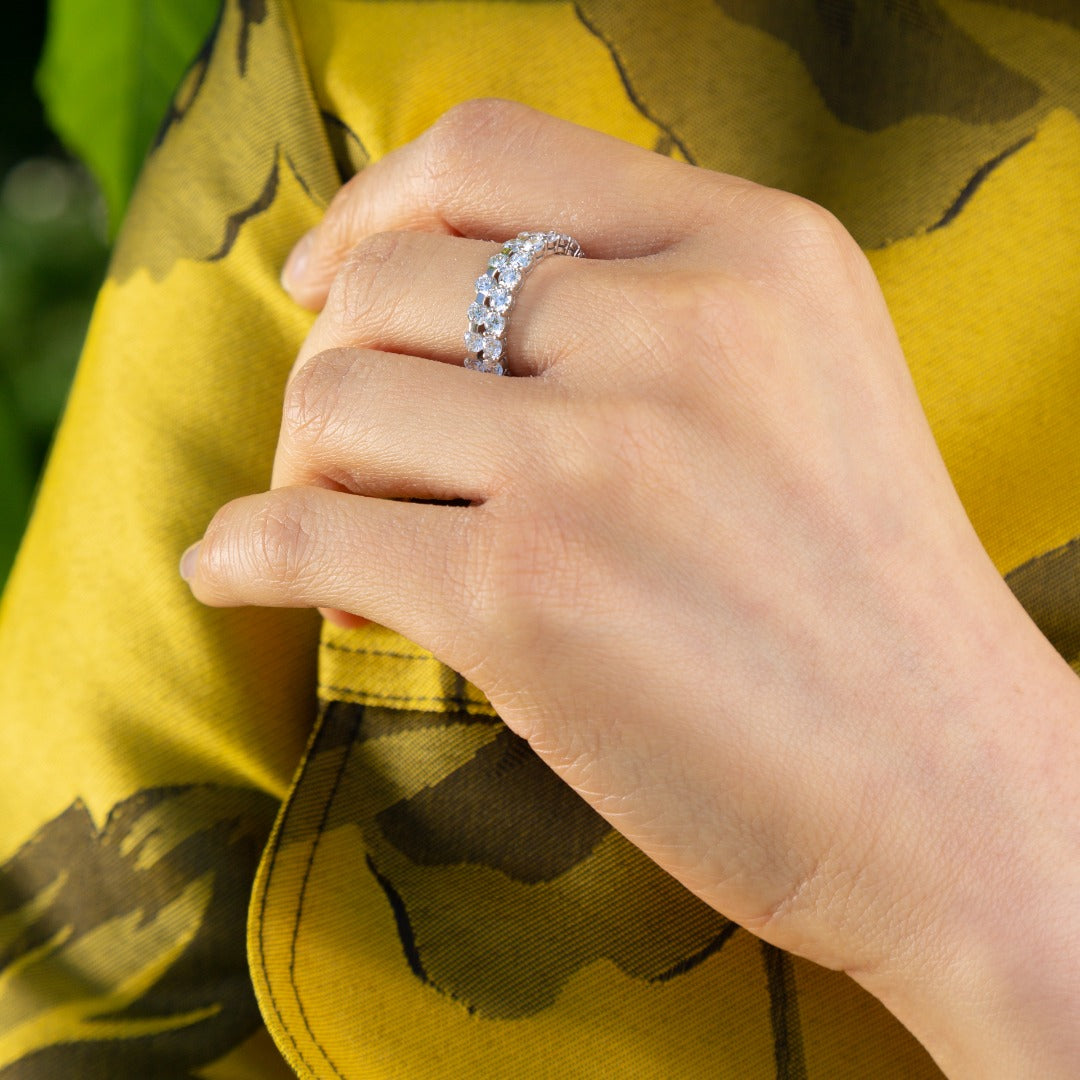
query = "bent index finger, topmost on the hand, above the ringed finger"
{"x": 490, "y": 169}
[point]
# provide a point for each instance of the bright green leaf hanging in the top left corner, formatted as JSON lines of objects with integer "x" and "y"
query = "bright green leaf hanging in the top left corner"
{"x": 109, "y": 73}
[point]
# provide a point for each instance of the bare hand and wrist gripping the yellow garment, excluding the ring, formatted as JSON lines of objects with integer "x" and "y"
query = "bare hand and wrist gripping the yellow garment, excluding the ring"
{"x": 712, "y": 566}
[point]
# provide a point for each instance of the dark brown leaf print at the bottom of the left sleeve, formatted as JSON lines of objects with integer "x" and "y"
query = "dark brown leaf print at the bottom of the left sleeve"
{"x": 133, "y": 934}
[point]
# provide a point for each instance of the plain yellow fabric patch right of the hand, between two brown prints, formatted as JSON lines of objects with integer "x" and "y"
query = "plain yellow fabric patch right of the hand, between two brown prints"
{"x": 1000, "y": 372}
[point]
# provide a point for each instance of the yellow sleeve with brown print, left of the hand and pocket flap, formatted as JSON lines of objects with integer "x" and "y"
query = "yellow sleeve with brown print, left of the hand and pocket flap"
{"x": 146, "y": 742}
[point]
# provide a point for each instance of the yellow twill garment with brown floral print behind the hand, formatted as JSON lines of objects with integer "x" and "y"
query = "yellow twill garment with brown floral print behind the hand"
{"x": 423, "y": 899}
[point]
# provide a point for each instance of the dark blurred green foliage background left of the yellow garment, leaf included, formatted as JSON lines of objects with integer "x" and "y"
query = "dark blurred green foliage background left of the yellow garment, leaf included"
{"x": 105, "y": 71}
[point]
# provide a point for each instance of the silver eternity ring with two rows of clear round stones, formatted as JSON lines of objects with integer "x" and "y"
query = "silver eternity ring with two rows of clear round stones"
{"x": 497, "y": 290}
